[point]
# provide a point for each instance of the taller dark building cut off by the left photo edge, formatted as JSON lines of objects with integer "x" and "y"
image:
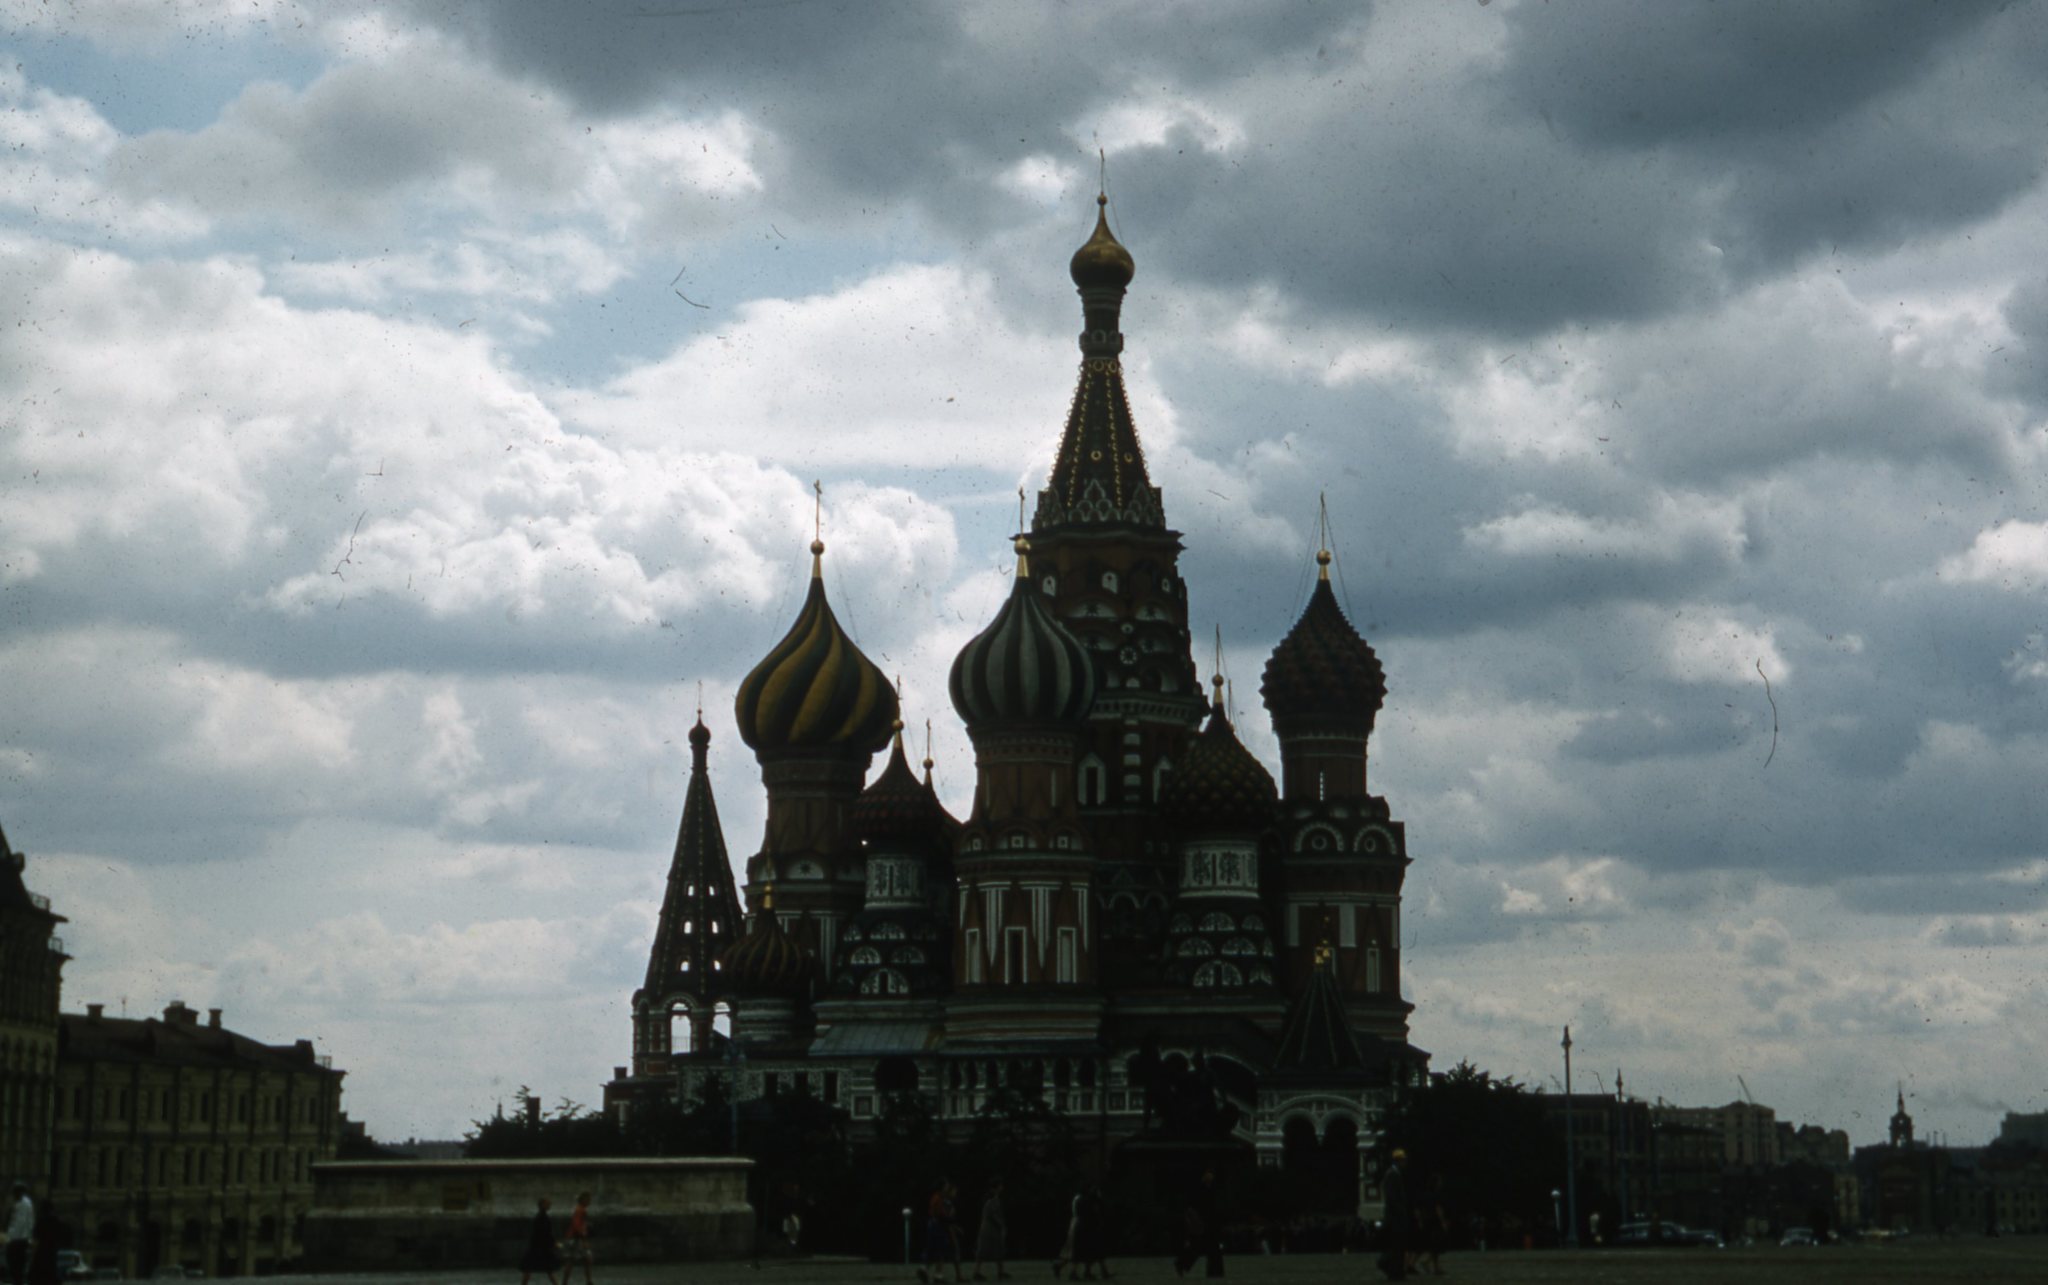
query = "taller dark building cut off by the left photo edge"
{"x": 32, "y": 964}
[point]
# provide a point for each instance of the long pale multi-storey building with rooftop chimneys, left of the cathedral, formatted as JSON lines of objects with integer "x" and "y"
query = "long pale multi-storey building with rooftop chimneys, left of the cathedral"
{"x": 185, "y": 1145}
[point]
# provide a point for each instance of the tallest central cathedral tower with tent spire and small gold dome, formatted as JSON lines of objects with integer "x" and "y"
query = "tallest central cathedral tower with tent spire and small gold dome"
{"x": 1111, "y": 569}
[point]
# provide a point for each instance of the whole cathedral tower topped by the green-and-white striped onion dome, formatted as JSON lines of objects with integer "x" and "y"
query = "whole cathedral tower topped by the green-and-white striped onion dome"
{"x": 1025, "y": 958}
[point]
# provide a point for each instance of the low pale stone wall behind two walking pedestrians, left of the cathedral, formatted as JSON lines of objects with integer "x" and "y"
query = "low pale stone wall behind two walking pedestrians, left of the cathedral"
{"x": 456, "y": 1214}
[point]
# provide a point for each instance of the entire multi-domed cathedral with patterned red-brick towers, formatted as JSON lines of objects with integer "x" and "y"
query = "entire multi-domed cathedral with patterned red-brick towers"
{"x": 1132, "y": 901}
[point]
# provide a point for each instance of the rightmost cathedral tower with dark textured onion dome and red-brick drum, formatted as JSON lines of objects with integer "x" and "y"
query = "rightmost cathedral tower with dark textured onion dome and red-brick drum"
{"x": 1347, "y": 858}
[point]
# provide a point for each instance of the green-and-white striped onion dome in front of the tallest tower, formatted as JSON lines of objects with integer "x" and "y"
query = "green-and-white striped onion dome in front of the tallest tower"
{"x": 1025, "y": 667}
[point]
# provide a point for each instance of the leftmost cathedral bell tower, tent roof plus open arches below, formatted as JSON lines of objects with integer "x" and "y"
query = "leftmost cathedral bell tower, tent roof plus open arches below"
{"x": 699, "y": 921}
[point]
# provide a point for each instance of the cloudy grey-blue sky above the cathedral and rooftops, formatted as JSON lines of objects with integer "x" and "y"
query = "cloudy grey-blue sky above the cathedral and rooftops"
{"x": 404, "y": 409}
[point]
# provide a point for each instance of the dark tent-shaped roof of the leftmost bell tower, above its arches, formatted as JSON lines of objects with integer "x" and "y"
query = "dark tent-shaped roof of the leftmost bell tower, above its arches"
{"x": 699, "y": 909}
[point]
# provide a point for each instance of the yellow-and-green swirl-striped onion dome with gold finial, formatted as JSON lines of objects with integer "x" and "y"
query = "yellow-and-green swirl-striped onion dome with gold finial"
{"x": 816, "y": 692}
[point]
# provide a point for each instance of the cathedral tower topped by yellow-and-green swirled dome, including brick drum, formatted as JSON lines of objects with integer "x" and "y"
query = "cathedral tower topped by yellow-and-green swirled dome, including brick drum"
{"x": 814, "y": 712}
